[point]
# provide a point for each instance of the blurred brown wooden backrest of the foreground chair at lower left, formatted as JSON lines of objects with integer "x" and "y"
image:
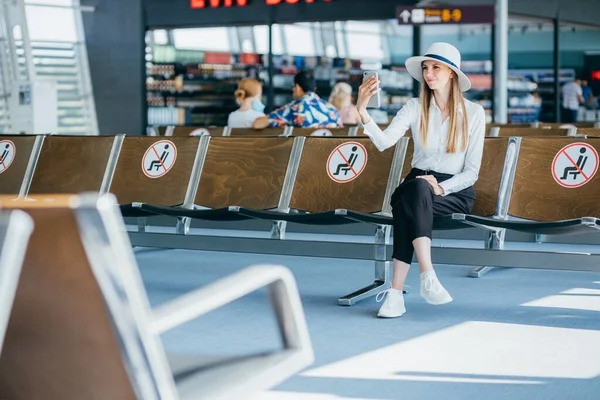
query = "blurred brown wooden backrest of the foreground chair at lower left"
{"x": 60, "y": 342}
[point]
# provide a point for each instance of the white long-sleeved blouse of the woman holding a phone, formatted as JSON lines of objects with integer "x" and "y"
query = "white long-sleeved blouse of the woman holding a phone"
{"x": 432, "y": 156}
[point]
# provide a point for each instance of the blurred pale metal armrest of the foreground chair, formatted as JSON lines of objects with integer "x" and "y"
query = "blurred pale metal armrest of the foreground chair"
{"x": 285, "y": 300}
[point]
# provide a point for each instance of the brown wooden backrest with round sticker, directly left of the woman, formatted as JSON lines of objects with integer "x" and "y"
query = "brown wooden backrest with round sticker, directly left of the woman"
{"x": 315, "y": 191}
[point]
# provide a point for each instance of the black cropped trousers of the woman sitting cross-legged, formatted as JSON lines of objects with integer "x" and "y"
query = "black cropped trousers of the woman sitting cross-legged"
{"x": 414, "y": 205}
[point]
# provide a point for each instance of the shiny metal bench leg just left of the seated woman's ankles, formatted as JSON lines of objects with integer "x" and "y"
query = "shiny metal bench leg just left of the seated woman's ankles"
{"x": 383, "y": 276}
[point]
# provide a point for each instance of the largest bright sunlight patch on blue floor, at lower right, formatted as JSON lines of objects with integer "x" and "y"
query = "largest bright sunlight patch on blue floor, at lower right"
{"x": 479, "y": 352}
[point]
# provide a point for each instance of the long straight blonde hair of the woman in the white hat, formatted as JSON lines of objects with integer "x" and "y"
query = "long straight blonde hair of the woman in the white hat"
{"x": 455, "y": 100}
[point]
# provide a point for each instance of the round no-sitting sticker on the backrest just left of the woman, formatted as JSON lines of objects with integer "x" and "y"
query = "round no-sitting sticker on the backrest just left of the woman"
{"x": 347, "y": 162}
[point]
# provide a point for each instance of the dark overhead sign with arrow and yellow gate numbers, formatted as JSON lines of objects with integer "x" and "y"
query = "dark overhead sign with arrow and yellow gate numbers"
{"x": 450, "y": 14}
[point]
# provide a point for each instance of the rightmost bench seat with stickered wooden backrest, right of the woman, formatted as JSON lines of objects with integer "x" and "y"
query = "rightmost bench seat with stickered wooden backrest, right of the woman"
{"x": 545, "y": 206}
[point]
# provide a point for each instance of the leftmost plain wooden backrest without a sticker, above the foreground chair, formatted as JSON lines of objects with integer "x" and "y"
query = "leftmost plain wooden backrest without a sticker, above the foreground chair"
{"x": 71, "y": 164}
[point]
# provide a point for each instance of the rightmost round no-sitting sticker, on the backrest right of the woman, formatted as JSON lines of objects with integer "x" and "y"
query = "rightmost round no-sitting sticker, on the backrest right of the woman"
{"x": 575, "y": 165}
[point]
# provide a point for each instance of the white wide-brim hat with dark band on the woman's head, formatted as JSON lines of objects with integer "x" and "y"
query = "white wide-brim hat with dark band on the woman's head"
{"x": 444, "y": 53}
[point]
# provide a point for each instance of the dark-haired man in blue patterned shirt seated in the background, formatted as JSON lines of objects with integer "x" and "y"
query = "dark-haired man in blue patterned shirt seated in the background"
{"x": 306, "y": 111}
